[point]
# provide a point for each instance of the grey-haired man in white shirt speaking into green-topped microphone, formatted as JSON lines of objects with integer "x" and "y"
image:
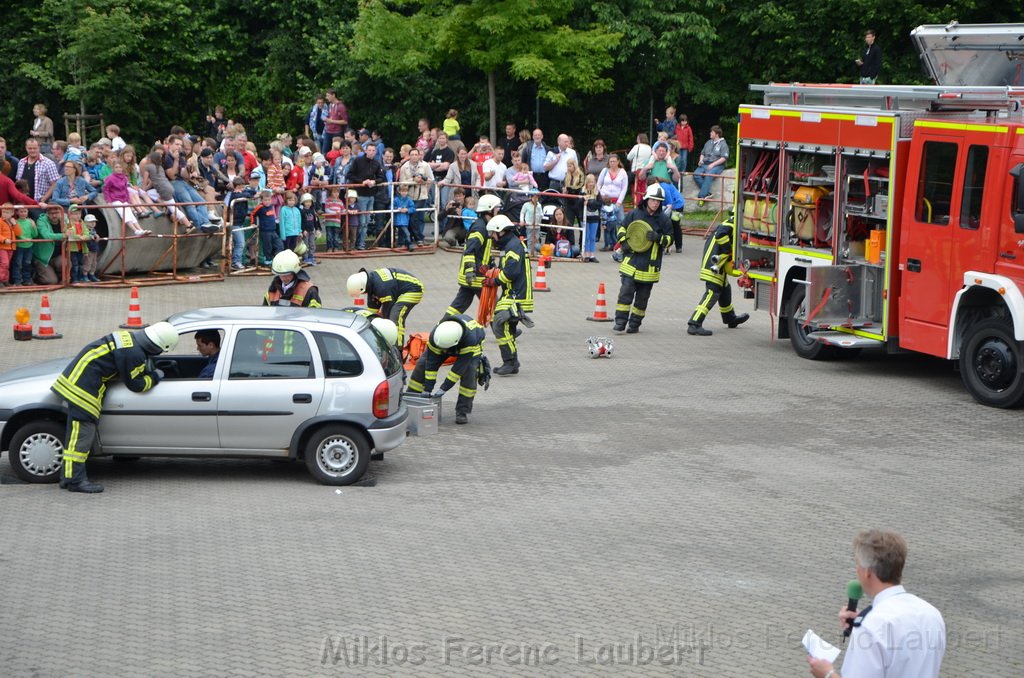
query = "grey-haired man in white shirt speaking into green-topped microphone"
{"x": 899, "y": 635}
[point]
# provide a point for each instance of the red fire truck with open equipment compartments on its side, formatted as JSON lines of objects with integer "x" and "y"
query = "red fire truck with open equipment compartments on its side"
{"x": 893, "y": 217}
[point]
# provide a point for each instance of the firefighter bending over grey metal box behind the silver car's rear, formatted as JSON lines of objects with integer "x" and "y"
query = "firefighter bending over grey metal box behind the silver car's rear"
{"x": 462, "y": 337}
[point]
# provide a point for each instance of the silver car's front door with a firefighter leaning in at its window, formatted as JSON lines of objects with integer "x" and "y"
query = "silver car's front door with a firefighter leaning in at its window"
{"x": 177, "y": 416}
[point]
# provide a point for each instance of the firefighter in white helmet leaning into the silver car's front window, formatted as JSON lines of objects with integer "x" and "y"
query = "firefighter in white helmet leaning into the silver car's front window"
{"x": 124, "y": 356}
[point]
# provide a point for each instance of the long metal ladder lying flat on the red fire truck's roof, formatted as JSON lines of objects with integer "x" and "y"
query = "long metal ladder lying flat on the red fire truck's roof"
{"x": 895, "y": 98}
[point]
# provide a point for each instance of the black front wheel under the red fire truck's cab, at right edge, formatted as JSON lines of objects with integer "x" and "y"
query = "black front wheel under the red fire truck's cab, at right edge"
{"x": 991, "y": 365}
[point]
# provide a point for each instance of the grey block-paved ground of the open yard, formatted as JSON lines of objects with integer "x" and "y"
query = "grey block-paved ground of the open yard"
{"x": 693, "y": 499}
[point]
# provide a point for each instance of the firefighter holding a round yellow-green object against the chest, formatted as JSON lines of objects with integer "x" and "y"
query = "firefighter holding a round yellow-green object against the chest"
{"x": 641, "y": 271}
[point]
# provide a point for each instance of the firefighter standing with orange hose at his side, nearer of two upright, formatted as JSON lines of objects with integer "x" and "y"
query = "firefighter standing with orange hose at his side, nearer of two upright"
{"x": 517, "y": 300}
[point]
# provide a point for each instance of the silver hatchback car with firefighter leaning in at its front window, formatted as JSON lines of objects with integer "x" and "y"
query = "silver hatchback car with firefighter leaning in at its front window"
{"x": 315, "y": 385}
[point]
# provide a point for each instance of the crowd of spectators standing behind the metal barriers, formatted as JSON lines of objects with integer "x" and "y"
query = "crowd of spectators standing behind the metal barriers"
{"x": 336, "y": 187}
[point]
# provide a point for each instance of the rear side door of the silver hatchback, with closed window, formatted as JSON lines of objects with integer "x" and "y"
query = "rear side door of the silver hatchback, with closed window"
{"x": 272, "y": 387}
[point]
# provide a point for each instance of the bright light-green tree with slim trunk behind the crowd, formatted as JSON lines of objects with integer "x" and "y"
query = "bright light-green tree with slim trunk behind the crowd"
{"x": 530, "y": 40}
